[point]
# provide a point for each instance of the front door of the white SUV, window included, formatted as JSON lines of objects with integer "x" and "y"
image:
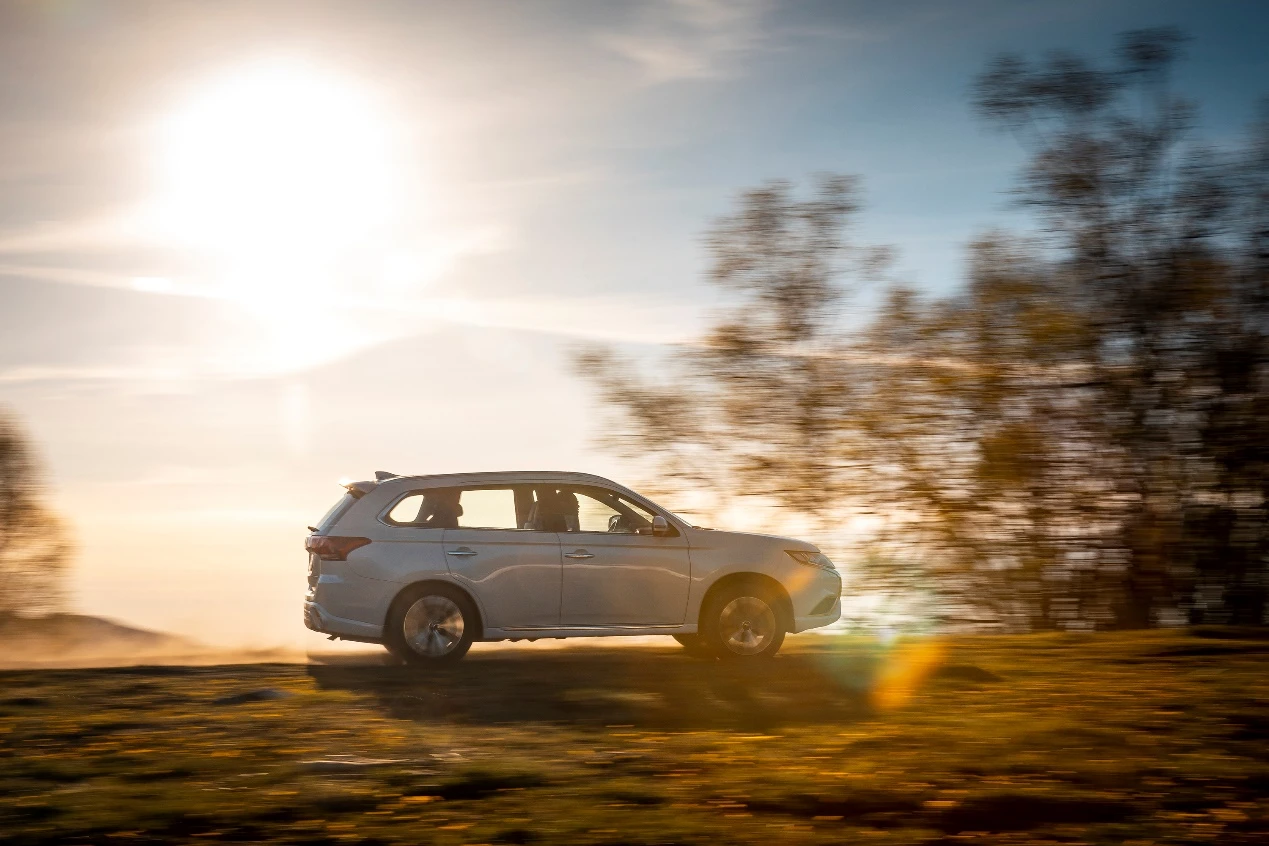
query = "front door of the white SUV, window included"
{"x": 614, "y": 574}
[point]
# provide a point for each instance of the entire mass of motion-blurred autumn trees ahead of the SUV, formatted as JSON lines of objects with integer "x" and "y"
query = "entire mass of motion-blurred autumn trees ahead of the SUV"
{"x": 1077, "y": 439}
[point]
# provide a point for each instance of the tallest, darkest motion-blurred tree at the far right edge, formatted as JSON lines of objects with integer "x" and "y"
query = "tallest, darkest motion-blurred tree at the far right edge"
{"x": 1163, "y": 247}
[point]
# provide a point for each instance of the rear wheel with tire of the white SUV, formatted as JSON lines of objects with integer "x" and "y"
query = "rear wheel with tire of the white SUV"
{"x": 431, "y": 625}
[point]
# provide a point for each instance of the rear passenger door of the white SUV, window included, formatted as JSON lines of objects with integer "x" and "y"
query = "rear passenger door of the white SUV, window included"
{"x": 515, "y": 573}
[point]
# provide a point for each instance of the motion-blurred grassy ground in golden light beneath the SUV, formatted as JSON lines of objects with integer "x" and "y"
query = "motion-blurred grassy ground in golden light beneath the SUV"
{"x": 1112, "y": 740}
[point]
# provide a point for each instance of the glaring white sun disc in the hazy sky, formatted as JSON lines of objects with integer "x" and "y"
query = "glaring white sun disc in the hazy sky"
{"x": 275, "y": 168}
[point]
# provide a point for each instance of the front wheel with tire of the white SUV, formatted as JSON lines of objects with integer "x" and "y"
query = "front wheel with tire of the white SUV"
{"x": 743, "y": 622}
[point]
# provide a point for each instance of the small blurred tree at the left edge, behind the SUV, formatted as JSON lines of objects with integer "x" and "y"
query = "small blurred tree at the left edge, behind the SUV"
{"x": 34, "y": 546}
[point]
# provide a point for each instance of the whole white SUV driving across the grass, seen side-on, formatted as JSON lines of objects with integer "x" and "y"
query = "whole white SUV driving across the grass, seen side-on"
{"x": 427, "y": 565}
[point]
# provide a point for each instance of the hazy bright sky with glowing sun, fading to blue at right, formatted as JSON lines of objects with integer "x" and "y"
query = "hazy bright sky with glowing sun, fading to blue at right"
{"x": 249, "y": 249}
